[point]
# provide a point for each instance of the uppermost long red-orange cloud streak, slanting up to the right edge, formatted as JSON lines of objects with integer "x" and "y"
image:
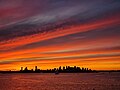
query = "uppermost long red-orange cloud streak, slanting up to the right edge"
{"x": 73, "y": 29}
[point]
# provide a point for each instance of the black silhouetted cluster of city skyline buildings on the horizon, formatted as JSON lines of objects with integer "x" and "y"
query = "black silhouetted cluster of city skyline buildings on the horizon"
{"x": 66, "y": 69}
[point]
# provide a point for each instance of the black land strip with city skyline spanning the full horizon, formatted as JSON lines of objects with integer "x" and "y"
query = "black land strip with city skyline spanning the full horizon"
{"x": 64, "y": 69}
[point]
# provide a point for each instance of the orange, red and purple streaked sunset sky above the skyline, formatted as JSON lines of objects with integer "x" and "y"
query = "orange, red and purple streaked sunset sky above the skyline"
{"x": 53, "y": 33}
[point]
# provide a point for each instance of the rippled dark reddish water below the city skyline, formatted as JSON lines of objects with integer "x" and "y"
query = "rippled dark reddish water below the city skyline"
{"x": 73, "y": 81}
